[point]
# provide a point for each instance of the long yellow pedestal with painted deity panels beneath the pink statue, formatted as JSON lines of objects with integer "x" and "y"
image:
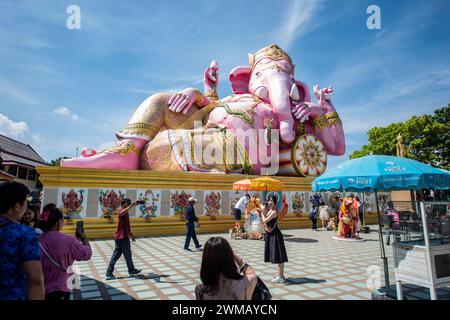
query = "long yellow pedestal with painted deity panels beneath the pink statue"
{"x": 165, "y": 193}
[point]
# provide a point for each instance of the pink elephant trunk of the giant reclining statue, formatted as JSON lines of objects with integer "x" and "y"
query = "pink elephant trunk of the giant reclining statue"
{"x": 279, "y": 86}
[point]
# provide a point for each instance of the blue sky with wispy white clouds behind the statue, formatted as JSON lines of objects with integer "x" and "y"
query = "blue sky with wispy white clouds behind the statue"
{"x": 61, "y": 89}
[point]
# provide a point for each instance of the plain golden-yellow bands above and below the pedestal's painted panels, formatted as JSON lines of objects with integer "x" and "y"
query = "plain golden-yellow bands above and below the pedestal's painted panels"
{"x": 57, "y": 177}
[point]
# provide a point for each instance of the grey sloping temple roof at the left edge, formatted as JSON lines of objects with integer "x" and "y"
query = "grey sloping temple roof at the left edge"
{"x": 13, "y": 152}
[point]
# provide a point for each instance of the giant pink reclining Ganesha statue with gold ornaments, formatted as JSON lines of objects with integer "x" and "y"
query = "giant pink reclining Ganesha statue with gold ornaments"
{"x": 267, "y": 126}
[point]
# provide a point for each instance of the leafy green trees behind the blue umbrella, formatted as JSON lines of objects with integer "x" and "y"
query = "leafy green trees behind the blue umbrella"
{"x": 427, "y": 138}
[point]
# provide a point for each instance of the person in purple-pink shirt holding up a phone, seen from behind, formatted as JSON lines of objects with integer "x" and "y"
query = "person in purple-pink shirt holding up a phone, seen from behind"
{"x": 59, "y": 252}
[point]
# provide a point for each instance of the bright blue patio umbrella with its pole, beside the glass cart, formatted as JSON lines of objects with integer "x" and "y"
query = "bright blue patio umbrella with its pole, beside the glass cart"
{"x": 380, "y": 172}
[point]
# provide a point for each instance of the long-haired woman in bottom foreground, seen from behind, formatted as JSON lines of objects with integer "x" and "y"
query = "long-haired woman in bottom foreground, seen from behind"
{"x": 225, "y": 276}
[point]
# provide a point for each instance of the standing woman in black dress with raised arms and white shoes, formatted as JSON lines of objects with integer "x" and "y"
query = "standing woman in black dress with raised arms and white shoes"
{"x": 274, "y": 250}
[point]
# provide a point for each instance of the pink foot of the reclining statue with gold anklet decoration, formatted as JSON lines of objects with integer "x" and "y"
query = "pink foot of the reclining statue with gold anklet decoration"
{"x": 124, "y": 155}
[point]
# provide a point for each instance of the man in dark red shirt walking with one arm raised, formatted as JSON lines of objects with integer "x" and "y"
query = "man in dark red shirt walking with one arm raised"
{"x": 122, "y": 240}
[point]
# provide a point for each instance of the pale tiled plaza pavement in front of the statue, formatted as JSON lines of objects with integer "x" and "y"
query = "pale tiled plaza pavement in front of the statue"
{"x": 318, "y": 268}
